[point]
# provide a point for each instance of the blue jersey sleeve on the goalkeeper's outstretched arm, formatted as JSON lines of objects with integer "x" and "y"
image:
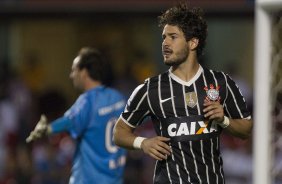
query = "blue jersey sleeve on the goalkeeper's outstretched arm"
{"x": 78, "y": 116}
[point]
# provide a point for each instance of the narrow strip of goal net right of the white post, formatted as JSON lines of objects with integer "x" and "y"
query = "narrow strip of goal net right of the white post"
{"x": 276, "y": 96}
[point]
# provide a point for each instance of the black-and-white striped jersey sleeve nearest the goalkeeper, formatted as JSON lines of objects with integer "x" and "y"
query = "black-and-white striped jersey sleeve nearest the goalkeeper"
{"x": 137, "y": 107}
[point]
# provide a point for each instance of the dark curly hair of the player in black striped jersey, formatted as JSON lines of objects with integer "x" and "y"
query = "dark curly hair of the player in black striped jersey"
{"x": 189, "y": 20}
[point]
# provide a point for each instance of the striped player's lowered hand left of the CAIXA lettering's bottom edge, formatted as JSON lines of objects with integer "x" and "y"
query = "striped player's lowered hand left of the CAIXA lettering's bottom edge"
{"x": 156, "y": 147}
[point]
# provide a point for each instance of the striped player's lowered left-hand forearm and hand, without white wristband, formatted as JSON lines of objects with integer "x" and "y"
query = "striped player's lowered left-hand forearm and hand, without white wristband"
{"x": 155, "y": 147}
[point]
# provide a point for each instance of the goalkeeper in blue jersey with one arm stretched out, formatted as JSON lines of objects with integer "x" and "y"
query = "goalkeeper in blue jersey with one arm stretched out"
{"x": 90, "y": 122}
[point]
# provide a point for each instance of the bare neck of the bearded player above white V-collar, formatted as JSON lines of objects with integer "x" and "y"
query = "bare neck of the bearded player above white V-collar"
{"x": 186, "y": 70}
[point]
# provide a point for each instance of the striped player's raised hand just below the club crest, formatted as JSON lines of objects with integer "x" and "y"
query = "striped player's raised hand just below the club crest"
{"x": 213, "y": 111}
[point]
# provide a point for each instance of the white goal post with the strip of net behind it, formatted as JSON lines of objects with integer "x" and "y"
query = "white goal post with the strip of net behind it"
{"x": 268, "y": 93}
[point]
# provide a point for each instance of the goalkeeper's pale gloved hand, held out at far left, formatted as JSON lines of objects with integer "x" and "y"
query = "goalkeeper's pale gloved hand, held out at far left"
{"x": 39, "y": 130}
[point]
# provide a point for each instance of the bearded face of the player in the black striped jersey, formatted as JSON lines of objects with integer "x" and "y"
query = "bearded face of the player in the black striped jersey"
{"x": 174, "y": 47}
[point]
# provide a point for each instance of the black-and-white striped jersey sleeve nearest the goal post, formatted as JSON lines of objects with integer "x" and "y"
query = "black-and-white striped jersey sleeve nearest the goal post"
{"x": 235, "y": 105}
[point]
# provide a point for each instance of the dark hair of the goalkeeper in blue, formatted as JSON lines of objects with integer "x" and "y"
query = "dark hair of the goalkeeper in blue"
{"x": 95, "y": 63}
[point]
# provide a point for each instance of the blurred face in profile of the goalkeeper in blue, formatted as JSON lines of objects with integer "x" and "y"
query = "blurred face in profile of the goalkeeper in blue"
{"x": 75, "y": 74}
